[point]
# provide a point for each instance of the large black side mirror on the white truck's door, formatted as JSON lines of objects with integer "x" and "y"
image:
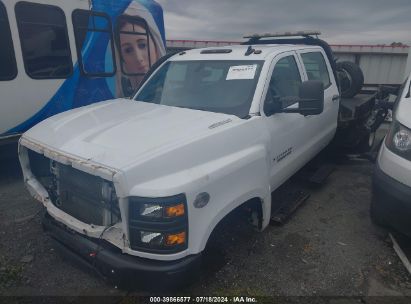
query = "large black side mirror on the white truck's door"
{"x": 311, "y": 100}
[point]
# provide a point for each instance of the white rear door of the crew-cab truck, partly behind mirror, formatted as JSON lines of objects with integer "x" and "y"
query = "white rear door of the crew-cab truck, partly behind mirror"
{"x": 316, "y": 67}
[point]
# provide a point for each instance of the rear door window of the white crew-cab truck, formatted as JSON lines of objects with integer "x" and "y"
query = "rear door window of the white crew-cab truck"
{"x": 316, "y": 67}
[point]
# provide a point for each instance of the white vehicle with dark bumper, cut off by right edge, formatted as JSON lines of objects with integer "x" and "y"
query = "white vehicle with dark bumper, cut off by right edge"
{"x": 391, "y": 201}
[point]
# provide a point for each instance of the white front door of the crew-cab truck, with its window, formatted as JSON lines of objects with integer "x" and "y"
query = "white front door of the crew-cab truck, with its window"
{"x": 291, "y": 133}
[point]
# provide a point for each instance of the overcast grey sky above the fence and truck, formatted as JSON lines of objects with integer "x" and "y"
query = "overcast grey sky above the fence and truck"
{"x": 340, "y": 21}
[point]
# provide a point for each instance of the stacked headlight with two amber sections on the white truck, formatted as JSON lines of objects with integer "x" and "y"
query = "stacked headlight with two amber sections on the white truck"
{"x": 158, "y": 225}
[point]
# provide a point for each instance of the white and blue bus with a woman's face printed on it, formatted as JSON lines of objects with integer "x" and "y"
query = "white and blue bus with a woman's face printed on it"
{"x": 59, "y": 55}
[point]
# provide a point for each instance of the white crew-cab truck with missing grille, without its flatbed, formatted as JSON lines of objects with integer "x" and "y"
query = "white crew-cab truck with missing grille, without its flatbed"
{"x": 135, "y": 187}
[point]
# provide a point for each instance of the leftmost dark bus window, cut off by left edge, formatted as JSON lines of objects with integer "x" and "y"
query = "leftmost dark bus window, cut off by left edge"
{"x": 8, "y": 69}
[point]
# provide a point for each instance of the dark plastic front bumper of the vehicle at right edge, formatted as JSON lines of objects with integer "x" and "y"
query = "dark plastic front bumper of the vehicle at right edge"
{"x": 391, "y": 202}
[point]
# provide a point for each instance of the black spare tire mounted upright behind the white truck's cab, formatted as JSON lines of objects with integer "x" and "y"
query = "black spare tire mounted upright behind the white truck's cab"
{"x": 351, "y": 78}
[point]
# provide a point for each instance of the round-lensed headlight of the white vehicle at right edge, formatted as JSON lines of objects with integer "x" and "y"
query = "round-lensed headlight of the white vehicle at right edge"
{"x": 398, "y": 140}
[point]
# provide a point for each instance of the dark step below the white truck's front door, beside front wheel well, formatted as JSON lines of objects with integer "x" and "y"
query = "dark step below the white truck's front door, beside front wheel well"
{"x": 287, "y": 202}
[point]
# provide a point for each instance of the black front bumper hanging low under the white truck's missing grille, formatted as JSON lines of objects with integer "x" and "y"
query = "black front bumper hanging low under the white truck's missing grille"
{"x": 120, "y": 269}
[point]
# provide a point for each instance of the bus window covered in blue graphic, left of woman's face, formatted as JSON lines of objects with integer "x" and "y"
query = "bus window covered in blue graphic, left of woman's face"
{"x": 95, "y": 59}
